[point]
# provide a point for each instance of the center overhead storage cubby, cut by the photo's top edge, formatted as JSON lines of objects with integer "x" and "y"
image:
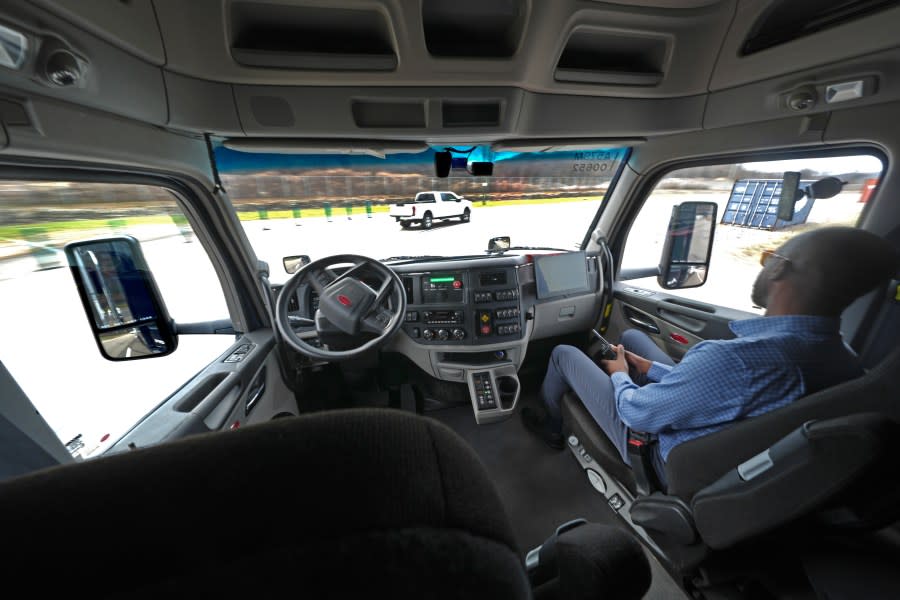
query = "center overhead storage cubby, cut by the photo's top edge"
{"x": 473, "y": 28}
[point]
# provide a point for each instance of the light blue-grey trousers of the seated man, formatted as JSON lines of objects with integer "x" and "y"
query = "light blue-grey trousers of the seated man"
{"x": 572, "y": 369}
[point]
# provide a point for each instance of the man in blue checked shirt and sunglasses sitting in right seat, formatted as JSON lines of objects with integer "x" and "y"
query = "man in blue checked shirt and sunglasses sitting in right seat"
{"x": 794, "y": 350}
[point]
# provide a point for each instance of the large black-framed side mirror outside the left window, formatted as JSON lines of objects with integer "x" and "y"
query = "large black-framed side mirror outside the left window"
{"x": 123, "y": 305}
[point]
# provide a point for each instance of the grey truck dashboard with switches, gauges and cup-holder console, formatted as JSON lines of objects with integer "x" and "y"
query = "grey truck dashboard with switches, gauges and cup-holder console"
{"x": 470, "y": 319}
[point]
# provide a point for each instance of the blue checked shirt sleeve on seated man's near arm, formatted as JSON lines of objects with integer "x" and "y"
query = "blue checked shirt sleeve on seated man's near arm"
{"x": 707, "y": 387}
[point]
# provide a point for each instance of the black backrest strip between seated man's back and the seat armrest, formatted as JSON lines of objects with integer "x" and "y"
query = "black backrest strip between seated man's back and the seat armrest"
{"x": 697, "y": 463}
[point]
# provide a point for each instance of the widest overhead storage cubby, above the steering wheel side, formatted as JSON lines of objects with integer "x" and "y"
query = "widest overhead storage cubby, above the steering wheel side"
{"x": 283, "y": 36}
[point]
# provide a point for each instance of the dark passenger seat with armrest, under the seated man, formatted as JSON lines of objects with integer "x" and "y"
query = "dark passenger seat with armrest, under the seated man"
{"x": 772, "y": 471}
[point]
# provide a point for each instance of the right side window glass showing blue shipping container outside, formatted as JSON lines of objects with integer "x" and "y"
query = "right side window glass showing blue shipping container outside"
{"x": 742, "y": 230}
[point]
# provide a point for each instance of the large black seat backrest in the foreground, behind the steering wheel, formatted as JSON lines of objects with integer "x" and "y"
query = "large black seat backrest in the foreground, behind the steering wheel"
{"x": 347, "y": 503}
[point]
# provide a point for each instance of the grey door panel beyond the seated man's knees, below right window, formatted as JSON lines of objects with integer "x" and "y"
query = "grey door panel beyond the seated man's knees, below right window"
{"x": 674, "y": 324}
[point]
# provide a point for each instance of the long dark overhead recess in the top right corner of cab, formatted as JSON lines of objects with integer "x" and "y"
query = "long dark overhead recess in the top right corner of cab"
{"x": 787, "y": 20}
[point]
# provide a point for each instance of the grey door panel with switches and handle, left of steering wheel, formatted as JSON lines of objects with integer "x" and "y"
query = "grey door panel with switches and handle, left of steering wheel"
{"x": 240, "y": 387}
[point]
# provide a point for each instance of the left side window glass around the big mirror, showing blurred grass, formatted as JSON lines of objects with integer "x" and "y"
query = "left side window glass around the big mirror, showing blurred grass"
{"x": 47, "y": 343}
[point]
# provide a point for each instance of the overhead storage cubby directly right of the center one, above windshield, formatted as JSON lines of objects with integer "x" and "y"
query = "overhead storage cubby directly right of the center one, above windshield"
{"x": 599, "y": 56}
